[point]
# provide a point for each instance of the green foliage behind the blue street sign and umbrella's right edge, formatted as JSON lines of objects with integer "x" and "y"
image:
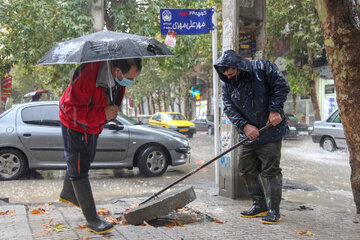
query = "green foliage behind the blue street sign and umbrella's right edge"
{"x": 158, "y": 75}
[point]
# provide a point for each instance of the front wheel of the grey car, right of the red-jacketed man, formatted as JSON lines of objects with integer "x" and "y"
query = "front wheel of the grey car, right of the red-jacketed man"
{"x": 153, "y": 161}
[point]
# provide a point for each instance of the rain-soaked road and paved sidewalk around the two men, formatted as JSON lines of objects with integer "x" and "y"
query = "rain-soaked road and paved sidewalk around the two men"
{"x": 317, "y": 198}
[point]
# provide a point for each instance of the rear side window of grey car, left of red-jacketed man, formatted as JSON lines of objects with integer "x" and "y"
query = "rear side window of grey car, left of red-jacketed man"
{"x": 41, "y": 115}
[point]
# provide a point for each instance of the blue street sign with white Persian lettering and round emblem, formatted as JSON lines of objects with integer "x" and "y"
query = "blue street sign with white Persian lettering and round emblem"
{"x": 186, "y": 21}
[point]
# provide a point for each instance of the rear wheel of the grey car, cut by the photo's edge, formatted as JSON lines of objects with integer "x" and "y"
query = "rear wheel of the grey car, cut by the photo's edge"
{"x": 13, "y": 164}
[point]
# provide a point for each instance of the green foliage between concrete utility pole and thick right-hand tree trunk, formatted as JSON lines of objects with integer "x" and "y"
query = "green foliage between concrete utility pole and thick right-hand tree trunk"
{"x": 296, "y": 23}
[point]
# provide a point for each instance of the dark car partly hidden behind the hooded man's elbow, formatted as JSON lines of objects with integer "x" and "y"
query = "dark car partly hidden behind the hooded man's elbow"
{"x": 298, "y": 130}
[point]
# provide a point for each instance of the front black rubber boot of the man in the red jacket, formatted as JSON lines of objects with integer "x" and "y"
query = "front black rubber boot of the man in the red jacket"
{"x": 85, "y": 197}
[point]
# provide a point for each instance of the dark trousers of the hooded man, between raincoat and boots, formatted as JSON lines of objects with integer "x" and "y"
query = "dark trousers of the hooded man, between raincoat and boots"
{"x": 261, "y": 159}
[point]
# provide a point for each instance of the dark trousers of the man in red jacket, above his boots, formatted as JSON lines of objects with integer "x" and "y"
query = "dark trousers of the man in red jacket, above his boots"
{"x": 79, "y": 152}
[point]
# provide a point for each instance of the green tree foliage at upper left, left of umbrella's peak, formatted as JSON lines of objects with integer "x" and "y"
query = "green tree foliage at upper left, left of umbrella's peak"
{"x": 29, "y": 29}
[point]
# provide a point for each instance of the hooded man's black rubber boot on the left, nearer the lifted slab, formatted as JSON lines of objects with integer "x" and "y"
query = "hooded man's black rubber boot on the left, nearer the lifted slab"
{"x": 256, "y": 191}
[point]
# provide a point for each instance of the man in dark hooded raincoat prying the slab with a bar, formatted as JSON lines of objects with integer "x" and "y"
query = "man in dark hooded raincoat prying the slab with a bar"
{"x": 254, "y": 92}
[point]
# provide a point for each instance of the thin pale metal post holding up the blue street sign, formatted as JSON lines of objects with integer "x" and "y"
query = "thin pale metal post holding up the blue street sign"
{"x": 215, "y": 96}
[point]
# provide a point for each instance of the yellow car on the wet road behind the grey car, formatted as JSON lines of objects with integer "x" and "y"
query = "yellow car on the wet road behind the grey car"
{"x": 174, "y": 121}
